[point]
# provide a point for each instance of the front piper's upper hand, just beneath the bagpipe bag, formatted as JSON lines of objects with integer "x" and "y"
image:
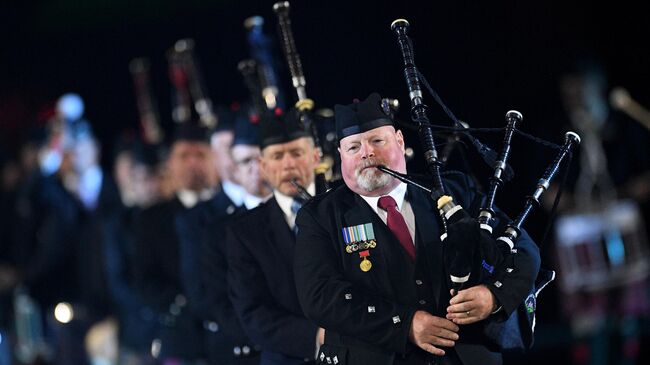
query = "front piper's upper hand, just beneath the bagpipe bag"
{"x": 471, "y": 305}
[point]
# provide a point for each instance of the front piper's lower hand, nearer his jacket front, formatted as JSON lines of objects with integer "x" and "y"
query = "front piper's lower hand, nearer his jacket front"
{"x": 428, "y": 331}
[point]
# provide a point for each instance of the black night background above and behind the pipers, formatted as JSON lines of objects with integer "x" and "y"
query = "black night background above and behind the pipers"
{"x": 483, "y": 58}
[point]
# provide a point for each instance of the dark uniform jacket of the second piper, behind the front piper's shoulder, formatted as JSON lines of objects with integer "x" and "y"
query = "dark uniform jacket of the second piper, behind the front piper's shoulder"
{"x": 262, "y": 286}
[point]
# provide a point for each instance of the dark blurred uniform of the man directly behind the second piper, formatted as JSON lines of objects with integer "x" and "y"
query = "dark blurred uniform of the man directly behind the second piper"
{"x": 203, "y": 272}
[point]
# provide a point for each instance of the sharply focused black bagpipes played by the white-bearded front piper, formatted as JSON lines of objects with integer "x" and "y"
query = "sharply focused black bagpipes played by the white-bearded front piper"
{"x": 471, "y": 253}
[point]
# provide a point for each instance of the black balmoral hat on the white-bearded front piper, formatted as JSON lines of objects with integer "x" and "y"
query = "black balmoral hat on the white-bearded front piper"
{"x": 360, "y": 117}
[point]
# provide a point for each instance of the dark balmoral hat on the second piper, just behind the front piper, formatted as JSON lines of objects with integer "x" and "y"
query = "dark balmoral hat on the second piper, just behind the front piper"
{"x": 281, "y": 128}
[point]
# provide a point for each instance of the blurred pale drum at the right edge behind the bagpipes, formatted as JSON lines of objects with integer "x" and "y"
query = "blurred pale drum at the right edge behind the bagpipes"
{"x": 601, "y": 249}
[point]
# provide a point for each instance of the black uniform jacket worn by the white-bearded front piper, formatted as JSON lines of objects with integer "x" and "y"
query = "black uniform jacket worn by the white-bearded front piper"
{"x": 367, "y": 315}
